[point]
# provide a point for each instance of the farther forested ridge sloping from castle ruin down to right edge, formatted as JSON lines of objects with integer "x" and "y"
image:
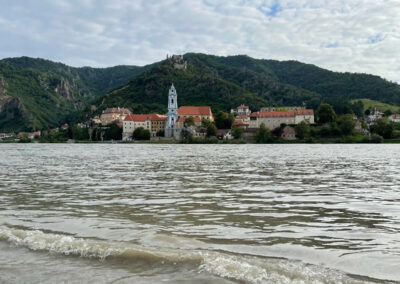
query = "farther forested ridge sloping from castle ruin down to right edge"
{"x": 332, "y": 86}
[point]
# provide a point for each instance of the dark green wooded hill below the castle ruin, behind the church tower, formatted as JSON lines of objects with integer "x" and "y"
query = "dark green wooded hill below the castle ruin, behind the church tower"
{"x": 148, "y": 92}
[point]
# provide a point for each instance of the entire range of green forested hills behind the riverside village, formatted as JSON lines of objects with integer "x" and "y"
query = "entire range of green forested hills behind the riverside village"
{"x": 37, "y": 93}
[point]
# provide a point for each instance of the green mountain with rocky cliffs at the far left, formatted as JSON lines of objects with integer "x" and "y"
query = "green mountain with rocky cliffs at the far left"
{"x": 38, "y": 93}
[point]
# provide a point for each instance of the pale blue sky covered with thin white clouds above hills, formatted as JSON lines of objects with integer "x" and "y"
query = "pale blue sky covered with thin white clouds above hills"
{"x": 341, "y": 35}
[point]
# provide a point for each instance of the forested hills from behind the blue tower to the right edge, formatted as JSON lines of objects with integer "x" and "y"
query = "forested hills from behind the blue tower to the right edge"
{"x": 225, "y": 82}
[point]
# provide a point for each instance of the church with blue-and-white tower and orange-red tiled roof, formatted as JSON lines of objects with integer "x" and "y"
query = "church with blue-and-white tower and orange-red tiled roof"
{"x": 177, "y": 116}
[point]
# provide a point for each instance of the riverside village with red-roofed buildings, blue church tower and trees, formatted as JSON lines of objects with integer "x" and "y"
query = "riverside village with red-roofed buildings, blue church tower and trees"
{"x": 198, "y": 123}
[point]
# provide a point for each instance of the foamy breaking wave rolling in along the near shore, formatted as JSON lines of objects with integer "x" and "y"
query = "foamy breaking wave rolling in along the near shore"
{"x": 236, "y": 267}
